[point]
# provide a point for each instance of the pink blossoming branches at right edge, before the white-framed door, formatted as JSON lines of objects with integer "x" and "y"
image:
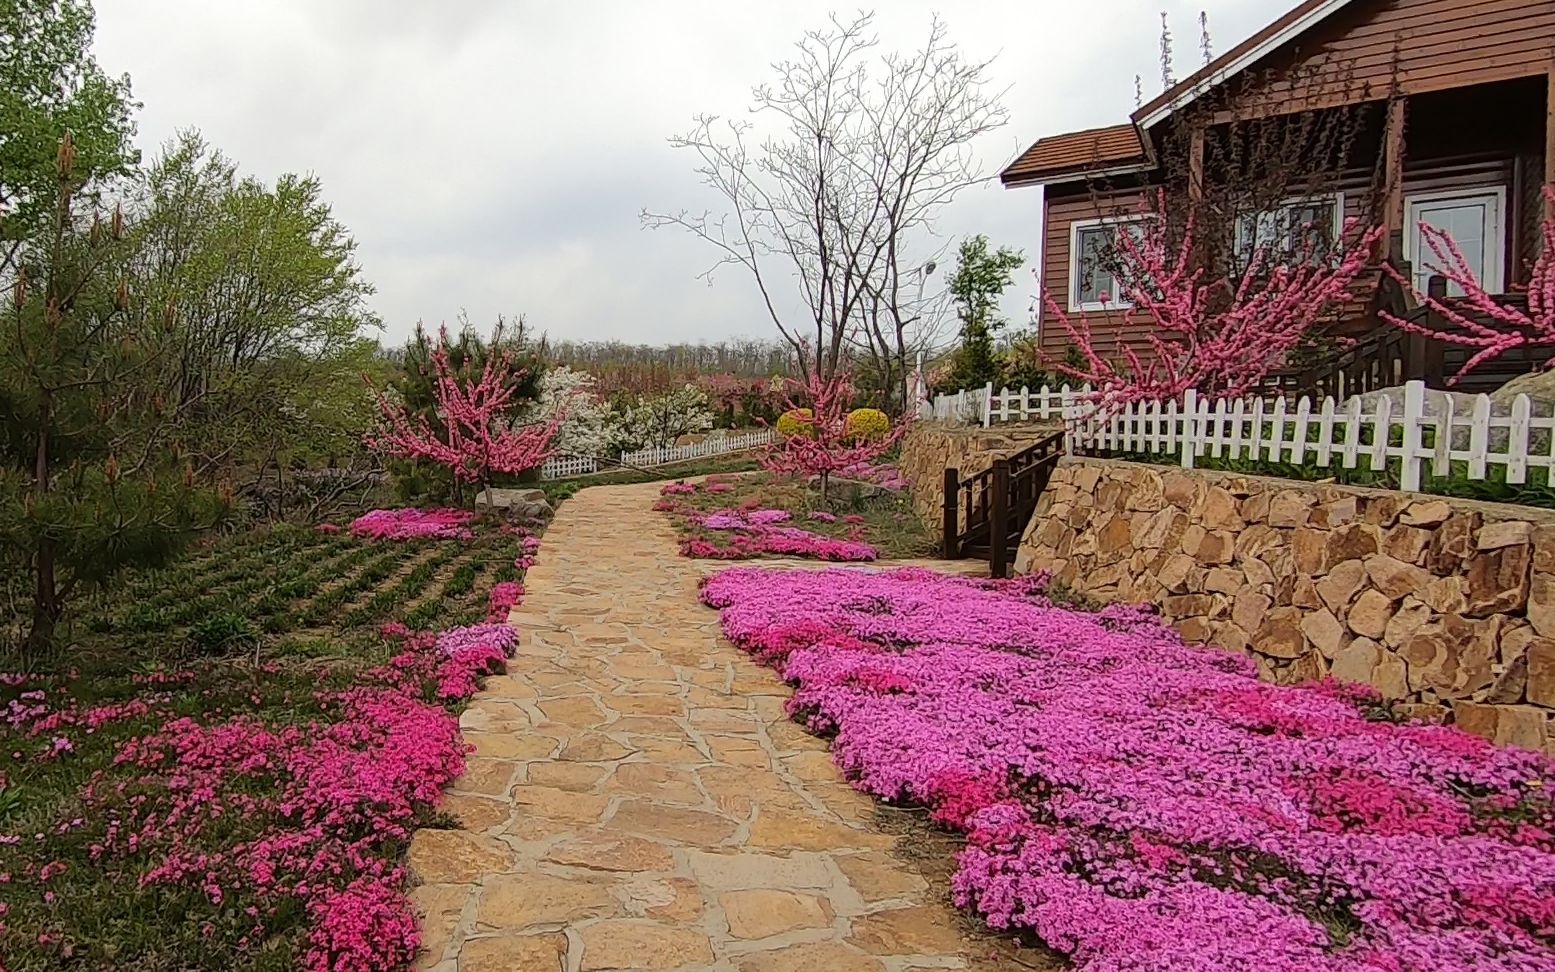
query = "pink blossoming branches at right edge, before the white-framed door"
{"x": 1478, "y": 320}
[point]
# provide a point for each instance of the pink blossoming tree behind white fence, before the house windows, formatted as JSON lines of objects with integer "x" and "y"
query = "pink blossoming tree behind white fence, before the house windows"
{"x": 1207, "y": 332}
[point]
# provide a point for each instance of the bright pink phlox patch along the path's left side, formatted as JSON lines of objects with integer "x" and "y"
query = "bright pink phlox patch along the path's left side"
{"x": 343, "y": 792}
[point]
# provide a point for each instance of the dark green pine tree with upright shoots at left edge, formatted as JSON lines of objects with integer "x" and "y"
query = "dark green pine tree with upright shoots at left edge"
{"x": 83, "y": 491}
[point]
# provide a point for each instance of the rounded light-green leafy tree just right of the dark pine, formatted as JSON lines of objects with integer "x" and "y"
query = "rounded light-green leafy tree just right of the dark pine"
{"x": 264, "y": 310}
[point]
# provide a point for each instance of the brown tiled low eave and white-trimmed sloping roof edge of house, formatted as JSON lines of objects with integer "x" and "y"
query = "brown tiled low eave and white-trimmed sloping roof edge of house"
{"x": 1125, "y": 149}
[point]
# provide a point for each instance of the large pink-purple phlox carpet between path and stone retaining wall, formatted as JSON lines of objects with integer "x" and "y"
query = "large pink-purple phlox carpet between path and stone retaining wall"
{"x": 1141, "y": 805}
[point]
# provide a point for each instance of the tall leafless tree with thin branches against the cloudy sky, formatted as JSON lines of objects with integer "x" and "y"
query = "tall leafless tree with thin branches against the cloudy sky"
{"x": 840, "y": 194}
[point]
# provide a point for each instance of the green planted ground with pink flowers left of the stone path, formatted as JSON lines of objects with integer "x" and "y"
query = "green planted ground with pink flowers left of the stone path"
{"x": 122, "y": 828}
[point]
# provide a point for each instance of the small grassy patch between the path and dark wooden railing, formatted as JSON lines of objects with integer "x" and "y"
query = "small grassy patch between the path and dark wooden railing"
{"x": 884, "y": 520}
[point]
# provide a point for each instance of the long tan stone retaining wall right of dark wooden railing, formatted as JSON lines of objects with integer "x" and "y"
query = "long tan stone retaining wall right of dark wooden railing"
{"x": 1445, "y": 606}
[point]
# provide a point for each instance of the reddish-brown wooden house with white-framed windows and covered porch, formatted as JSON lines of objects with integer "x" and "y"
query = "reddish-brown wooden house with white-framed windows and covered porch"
{"x": 1453, "y": 122}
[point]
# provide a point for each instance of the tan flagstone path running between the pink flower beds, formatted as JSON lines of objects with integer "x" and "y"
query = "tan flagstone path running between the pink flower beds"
{"x": 638, "y": 799}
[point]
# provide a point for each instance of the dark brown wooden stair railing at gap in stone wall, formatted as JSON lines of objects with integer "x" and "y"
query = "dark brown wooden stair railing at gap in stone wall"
{"x": 998, "y": 505}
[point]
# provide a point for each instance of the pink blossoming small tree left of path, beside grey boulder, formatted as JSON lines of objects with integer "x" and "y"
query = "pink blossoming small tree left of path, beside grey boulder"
{"x": 478, "y": 436}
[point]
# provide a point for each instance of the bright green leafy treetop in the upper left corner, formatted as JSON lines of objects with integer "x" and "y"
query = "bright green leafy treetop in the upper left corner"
{"x": 51, "y": 86}
